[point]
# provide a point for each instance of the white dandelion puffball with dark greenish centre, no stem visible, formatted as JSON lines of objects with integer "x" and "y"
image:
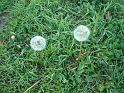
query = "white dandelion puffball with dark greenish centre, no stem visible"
{"x": 38, "y": 43}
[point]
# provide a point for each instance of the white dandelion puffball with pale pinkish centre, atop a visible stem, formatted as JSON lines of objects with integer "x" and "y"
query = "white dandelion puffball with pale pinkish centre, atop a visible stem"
{"x": 81, "y": 33}
